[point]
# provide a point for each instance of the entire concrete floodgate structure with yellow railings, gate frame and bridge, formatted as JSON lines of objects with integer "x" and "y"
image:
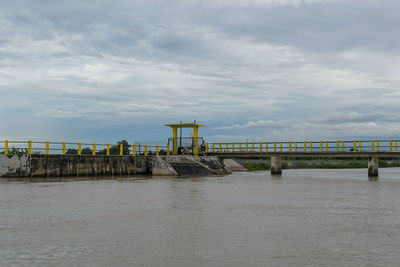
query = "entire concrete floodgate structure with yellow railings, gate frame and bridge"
{"x": 181, "y": 156}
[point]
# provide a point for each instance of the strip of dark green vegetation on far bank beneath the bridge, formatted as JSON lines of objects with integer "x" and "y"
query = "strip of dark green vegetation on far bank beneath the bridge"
{"x": 319, "y": 164}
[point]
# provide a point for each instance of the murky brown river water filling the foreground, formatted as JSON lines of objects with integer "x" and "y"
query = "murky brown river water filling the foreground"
{"x": 305, "y": 218}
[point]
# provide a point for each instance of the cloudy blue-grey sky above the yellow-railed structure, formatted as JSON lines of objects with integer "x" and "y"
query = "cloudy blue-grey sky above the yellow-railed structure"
{"x": 102, "y": 71}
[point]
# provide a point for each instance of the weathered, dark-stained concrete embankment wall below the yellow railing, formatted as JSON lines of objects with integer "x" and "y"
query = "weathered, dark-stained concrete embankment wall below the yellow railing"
{"x": 100, "y": 165}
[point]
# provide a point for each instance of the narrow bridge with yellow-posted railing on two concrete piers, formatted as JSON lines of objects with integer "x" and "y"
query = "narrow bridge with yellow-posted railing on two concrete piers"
{"x": 370, "y": 149}
